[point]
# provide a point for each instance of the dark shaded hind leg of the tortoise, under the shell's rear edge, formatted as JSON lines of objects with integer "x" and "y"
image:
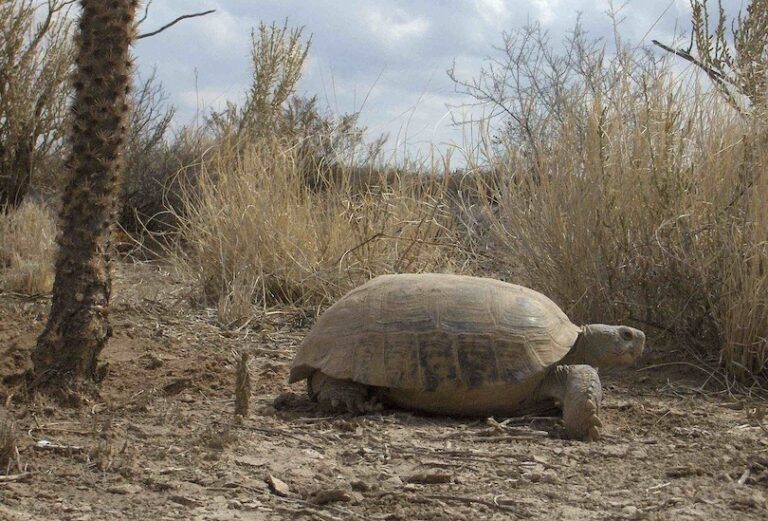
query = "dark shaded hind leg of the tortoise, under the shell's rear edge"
{"x": 342, "y": 395}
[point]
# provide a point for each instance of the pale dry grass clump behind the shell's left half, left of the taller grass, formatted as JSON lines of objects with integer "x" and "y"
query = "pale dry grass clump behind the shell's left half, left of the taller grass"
{"x": 255, "y": 233}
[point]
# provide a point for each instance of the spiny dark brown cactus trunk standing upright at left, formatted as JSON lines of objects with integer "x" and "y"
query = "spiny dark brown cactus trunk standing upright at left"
{"x": 78, "y": 325}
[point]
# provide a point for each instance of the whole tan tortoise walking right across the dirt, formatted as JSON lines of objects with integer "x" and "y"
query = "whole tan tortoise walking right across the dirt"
{"x": 460, "y": 346}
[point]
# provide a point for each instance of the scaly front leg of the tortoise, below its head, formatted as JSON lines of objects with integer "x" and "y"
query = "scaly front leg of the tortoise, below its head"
{"x": 578, "y": 390}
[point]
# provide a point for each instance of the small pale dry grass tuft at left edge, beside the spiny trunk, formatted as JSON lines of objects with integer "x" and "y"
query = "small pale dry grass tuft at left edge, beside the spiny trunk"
{"x": 27, "y": 248}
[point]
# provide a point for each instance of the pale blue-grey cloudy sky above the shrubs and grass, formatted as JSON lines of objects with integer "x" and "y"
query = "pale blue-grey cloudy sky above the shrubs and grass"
{"x": 394, "y": 52}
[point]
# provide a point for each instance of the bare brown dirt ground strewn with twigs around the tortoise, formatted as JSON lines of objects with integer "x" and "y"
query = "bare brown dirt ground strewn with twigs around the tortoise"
{"x": 162, "y": 442}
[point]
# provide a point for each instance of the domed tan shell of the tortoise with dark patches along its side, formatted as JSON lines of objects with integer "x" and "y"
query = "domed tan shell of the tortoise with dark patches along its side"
{"x": 436, "y": 332}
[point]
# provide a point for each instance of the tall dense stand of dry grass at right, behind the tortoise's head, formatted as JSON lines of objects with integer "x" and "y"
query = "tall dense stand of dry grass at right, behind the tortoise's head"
{"x": 642, "y": 199}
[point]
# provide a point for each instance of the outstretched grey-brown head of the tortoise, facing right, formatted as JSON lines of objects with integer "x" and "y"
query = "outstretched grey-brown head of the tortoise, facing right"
{"x": 605, "y": 346}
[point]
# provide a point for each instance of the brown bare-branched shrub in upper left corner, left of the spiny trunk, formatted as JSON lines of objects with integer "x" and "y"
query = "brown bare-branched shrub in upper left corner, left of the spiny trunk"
{"x": 36, "y": 58}
